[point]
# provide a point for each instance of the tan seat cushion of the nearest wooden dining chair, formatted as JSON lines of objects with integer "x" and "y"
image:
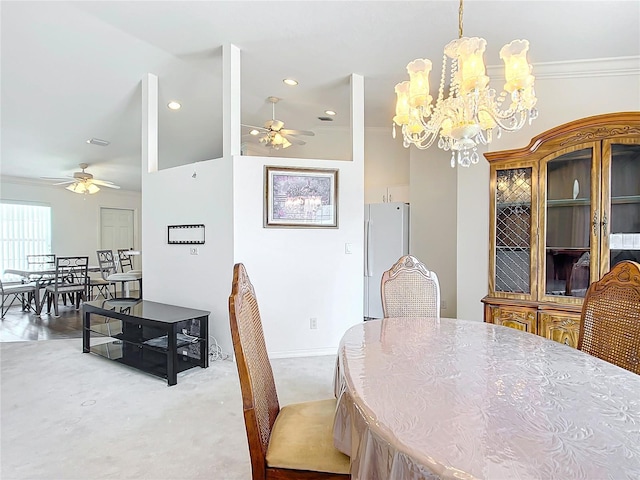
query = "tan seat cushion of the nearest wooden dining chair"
{"x": 302, "y": 439}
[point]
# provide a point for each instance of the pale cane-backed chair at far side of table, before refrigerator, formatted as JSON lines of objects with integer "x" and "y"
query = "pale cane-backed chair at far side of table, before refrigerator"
{"x": 409, "y": 289}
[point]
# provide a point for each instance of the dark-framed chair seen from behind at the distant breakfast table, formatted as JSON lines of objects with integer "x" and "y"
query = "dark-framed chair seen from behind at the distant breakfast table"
{"x": 71, "y": 278}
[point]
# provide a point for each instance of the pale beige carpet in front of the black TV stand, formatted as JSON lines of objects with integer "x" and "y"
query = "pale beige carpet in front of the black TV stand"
{"x": 69, "y": 415}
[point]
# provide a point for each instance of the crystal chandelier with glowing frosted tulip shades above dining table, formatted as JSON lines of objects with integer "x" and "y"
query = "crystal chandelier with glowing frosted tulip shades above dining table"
{"x": 471, "y": 111}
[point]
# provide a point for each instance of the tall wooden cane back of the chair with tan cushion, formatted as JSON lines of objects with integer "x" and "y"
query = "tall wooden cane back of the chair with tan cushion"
{"x": 259, "y": 396}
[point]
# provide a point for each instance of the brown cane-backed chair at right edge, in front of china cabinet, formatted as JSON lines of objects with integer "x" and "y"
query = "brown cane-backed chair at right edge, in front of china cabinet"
{"x": 610, "y": 320}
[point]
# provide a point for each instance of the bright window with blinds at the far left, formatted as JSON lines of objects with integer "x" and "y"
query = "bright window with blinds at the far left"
{"x": 25, "y": 230}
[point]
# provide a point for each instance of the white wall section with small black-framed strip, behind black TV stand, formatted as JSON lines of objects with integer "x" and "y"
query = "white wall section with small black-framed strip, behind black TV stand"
{"x": 171, "y": 274}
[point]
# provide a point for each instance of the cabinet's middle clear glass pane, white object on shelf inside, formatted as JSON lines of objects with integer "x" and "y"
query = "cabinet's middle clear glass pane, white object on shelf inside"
{"x": 568, "y": 223}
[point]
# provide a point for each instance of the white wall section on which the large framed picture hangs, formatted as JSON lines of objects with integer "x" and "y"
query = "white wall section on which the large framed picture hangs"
{"x": 303, "y": 273}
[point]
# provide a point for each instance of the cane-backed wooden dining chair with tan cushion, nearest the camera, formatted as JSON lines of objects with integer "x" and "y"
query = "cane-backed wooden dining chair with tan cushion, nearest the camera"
{"x": 292, "y": 442}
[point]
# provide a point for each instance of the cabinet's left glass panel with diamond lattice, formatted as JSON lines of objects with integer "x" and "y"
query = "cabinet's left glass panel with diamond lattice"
{"x": 513, "y": 230}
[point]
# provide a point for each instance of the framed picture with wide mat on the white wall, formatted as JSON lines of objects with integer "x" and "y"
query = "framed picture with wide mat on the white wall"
{"x": 300, "y": 197}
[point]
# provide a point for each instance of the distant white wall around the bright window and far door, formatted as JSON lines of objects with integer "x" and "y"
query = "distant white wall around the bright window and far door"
{"x": 75, "y": 221}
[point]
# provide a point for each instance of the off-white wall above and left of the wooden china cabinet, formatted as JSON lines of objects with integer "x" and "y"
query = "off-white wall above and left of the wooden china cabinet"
{"x": 565, "y": 92}
